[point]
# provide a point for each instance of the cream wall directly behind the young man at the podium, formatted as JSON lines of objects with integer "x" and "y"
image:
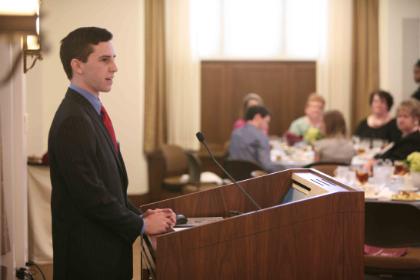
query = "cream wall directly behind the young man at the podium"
{"x": 47, "y": 82}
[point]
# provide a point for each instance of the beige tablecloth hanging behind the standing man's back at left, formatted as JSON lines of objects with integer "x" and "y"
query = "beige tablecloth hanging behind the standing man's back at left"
{"x": 39, "y": 214}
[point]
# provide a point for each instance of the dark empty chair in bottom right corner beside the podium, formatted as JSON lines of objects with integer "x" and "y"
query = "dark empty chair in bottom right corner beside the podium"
{"x": 393, "y": 225}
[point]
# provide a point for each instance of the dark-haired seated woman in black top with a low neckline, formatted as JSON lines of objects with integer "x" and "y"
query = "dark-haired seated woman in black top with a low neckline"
{"x": 379, "y": 124}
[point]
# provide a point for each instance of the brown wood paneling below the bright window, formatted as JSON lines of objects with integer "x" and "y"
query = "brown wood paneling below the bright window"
{"x": 284, "y": 86}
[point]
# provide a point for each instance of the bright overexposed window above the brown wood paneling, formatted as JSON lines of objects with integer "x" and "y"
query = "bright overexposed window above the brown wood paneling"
{"x": 257, "y": 29}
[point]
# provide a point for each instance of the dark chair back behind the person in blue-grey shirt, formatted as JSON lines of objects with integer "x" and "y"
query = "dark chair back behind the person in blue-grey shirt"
{"x": 242, "y": 169}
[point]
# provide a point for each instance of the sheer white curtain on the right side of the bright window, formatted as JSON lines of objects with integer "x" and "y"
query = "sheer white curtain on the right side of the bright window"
{"x": 334, "y": 64}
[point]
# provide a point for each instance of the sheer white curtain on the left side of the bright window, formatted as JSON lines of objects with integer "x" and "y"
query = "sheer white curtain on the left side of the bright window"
{"x": 183, "y": 77}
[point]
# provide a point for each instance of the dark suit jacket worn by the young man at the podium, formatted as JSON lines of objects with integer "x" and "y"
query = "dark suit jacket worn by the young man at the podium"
{"x": 93, "y": 224}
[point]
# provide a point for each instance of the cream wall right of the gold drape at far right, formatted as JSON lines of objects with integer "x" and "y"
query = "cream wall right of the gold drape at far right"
{"x": 395, "y": 71}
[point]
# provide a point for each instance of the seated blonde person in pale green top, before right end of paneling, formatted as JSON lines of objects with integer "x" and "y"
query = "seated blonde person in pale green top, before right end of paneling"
{"x": 314, "y": 110}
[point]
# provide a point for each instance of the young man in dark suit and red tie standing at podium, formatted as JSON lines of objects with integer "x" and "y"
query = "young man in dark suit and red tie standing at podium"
{"x": 93, "y": 223}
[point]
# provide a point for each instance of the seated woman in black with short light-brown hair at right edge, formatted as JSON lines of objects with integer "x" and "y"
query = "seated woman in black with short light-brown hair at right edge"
{"x": 408, "y": 116}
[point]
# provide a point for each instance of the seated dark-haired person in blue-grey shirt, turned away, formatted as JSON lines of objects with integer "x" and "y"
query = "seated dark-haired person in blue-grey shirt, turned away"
{"x": 251, "y": 143}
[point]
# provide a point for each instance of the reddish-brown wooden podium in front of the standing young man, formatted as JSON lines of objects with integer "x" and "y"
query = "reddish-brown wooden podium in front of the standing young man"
{"x": 317, "y": 233}
